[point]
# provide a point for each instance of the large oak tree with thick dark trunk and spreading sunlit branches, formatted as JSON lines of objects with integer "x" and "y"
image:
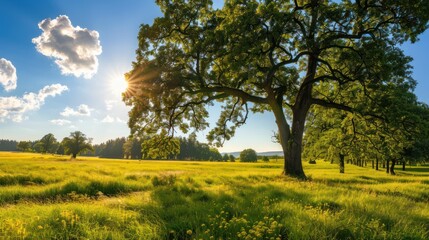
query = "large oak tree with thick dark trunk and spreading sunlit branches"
{"x": 265, "y": 55}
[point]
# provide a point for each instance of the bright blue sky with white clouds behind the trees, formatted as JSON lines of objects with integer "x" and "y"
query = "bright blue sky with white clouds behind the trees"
{"x": 57, "y": 96}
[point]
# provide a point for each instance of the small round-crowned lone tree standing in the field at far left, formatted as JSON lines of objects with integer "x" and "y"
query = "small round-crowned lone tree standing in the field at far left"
{"x": 76, "y": 143}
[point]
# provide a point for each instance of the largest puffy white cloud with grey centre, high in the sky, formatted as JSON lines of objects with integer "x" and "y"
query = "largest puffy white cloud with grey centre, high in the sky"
{"x": 74, "y": 48}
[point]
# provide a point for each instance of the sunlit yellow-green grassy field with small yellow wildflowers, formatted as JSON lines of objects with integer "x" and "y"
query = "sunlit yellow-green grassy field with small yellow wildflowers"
{"x": 51, "y": 197}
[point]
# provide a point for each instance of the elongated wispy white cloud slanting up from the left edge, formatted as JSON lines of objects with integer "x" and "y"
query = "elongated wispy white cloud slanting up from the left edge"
{"x": 14, "y": 108}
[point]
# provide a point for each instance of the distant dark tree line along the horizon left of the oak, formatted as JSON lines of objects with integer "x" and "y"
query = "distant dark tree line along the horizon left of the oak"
{"x": 181, "y": 148}
